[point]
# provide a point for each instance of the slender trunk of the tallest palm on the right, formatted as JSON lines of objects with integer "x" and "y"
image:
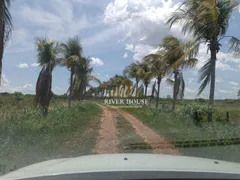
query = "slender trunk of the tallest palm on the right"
{"x": 213, "y": 75}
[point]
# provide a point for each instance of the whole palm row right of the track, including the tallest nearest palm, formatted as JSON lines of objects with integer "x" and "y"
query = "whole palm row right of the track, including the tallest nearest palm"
{"x": 207, "y": 21}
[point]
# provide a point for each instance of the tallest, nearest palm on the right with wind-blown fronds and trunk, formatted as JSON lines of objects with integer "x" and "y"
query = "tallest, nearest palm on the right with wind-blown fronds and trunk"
{"x": 208, "y": 21}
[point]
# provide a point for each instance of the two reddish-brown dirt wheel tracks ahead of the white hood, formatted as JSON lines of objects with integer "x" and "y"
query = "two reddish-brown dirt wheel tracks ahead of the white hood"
{"x": 107, "y": 141}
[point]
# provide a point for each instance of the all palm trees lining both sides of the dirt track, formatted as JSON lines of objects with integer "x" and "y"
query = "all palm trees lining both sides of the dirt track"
{"x": 207, "y": 21}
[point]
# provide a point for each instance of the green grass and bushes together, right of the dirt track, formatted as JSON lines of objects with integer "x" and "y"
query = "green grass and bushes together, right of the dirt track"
{"x": 218, "y": 139}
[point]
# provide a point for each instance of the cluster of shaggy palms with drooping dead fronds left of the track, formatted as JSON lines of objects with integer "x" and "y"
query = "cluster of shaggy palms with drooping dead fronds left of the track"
{"x": 69, "y": 54}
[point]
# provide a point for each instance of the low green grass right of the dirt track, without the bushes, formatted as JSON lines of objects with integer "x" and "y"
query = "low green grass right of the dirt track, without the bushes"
{"x": 177, "y": 127}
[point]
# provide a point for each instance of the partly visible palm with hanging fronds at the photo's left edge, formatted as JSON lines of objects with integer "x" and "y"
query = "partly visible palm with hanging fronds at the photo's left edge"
{"x": 6, "y": 27}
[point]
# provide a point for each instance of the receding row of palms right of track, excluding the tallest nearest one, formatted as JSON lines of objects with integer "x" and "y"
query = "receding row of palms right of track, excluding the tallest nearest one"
{"x": 172, "y": 56}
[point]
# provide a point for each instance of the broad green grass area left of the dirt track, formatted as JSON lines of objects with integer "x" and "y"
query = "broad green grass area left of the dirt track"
{"x": 27, "y": 137}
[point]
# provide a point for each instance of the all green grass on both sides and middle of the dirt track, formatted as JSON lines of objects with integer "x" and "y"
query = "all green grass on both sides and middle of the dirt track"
{"x": 27, "y": 137}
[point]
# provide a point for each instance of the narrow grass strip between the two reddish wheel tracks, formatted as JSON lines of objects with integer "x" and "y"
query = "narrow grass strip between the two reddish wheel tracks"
{"x": 129, "y": 141}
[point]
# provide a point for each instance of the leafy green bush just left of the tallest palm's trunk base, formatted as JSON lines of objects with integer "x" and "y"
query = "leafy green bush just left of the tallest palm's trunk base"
{"x": 197, "y": 112}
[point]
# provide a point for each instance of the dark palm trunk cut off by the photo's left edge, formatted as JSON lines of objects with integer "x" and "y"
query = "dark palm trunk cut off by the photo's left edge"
{"x": 2, "y": 28}
